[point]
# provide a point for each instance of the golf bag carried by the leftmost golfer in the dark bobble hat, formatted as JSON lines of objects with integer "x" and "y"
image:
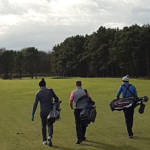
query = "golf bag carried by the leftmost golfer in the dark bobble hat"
{"x": 54, "y": 114}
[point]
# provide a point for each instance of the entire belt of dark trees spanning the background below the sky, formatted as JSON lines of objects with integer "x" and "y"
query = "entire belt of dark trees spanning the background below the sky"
{"x": 106, "y": 52}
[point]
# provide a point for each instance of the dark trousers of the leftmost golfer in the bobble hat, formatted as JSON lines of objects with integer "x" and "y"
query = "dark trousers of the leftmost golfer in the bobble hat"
{"x": 46, "y": 123}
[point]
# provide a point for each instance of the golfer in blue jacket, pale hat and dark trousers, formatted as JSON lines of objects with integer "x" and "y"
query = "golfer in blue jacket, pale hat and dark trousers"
{"x": 127, "y": 90}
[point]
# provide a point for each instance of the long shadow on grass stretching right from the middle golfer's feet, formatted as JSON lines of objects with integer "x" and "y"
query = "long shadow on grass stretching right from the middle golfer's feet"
{"x": 106, "y": 146}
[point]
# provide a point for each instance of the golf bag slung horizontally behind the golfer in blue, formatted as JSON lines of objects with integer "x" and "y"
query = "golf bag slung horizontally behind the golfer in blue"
{"x": 123, "y": 103}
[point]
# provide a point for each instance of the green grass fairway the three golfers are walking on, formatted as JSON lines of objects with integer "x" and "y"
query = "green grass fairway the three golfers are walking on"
{"x": 18, "y": 132}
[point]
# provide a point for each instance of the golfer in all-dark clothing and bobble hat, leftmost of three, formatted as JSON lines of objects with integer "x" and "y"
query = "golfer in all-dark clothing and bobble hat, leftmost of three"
{"x": 45, "y": 97}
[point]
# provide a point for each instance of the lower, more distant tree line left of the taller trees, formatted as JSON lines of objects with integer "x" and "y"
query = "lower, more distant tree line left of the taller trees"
{"x": 29, "y": 62}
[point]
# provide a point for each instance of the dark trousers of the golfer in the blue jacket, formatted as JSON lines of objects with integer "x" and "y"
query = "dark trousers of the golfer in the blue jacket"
{"x": 128, "y": 113}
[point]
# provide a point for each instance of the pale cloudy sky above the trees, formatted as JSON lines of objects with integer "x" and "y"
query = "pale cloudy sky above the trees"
{"x": 46, "y": 23}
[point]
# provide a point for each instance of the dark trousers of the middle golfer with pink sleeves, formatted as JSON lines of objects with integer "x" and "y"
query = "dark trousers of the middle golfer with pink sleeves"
{"x": 80, "y": 128}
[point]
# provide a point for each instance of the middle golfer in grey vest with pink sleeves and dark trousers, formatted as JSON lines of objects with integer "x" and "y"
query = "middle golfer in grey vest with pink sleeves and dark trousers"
{"x": 80, "y": 98}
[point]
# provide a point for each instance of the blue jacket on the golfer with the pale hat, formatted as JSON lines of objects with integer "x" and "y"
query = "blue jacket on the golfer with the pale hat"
{"x": 131, "y": 92}
